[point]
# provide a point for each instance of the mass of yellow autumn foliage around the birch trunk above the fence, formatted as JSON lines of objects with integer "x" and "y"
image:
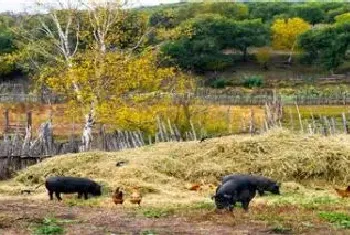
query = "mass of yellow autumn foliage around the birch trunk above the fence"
{"x": 125, "y": 90}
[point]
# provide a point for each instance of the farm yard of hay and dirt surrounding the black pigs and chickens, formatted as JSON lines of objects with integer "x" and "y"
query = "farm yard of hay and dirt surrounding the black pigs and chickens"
{"x": 304, "y": 165}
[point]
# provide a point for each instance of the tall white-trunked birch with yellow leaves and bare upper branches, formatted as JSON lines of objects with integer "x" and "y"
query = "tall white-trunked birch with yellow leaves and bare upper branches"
{"x": 85, "y": 59}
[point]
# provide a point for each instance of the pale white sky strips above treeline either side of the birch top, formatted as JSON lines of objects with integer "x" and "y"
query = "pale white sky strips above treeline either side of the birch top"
{"x": 24, "y": 5}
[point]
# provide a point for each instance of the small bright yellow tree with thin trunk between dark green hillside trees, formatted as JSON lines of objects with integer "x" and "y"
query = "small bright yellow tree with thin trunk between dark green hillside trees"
{"x": 286, "y": 32}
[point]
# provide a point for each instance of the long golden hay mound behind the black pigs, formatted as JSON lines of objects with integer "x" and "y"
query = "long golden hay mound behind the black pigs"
{"x": 163, "y": 170}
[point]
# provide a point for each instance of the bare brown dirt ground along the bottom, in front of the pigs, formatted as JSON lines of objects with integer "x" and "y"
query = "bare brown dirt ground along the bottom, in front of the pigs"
{"x": 26, "y": 216}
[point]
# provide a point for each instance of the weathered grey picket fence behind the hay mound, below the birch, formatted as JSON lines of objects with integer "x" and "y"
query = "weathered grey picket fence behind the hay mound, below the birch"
{"x": 18, "y": 151}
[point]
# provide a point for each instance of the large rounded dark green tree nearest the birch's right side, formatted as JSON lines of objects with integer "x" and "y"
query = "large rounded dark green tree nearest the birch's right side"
{"x": 201, "y": 44}
